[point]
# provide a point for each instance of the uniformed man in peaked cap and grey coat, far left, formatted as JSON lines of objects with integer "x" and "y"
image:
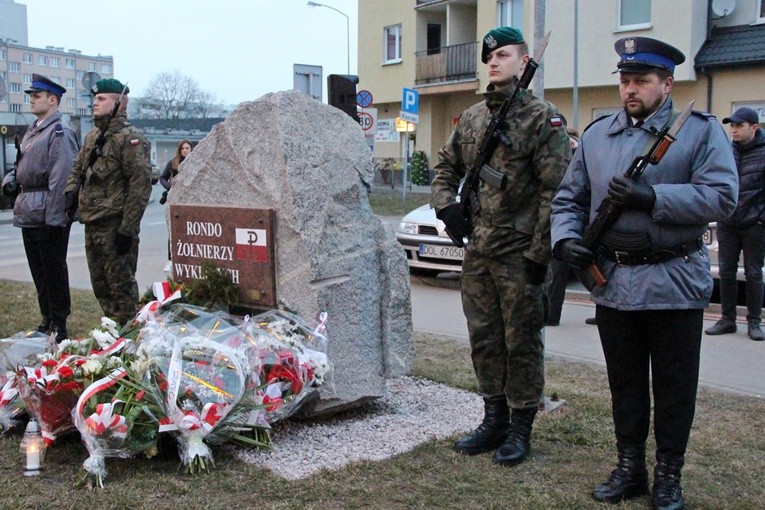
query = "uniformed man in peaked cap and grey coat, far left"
{"x": 47, "y": 152}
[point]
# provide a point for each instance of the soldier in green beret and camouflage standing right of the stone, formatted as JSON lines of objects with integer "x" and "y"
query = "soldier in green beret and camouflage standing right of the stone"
{"x": 503, "y": 283}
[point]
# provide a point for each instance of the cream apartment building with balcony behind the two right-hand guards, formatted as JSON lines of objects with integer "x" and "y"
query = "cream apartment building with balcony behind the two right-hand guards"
{"x": 433, "y": 46}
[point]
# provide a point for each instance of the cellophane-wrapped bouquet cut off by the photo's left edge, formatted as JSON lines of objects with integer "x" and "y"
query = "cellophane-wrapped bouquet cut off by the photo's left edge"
{"x": 20, "y": 349}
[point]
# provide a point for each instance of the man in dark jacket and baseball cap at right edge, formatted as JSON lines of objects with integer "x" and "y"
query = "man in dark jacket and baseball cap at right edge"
{"x": 745, "y": 229}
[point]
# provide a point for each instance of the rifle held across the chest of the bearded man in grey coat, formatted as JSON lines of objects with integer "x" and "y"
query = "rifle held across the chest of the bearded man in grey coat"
{"x": 609, "y": 212}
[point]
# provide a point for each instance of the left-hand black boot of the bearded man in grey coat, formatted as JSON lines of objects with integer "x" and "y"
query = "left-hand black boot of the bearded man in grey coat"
{"x": 629, "y": 479}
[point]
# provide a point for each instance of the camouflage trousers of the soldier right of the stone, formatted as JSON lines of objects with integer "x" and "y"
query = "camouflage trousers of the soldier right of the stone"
{"x": 505, "y": 316}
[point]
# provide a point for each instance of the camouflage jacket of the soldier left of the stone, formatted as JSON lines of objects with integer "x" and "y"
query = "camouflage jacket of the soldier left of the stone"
{"x": 119, "y": 184}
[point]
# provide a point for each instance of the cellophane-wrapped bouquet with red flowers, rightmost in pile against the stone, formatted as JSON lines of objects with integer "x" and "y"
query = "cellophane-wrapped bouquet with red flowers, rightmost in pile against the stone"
{"x": 287, "y": 361}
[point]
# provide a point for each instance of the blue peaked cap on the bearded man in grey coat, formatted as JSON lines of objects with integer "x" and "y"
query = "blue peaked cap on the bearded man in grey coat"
{"x": 643, "y": 54}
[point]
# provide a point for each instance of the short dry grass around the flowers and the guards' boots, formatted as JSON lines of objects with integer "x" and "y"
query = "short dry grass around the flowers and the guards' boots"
{"x": 572, "y": 450}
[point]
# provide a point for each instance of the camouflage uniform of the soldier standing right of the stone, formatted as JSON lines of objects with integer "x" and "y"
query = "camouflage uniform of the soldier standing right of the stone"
{"x": 505, "y": 313}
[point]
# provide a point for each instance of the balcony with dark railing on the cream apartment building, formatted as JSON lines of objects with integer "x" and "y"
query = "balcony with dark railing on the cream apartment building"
{"x": 446, "y": 64}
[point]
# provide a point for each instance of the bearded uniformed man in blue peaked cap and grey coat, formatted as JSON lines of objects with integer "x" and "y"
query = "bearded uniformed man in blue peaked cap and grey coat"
{"x": 650, "y": 312}
